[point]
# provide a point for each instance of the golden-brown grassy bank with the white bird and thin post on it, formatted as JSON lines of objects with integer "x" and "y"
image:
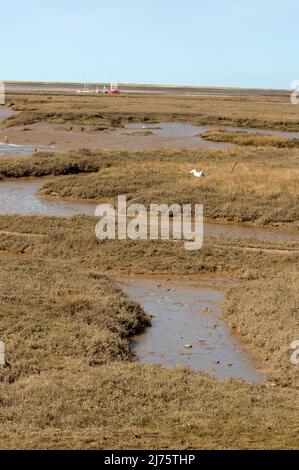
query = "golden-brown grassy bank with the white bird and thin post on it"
{"x": 262, "y": 189}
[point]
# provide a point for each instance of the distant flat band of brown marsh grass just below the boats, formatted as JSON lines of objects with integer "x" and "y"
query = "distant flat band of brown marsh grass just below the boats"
{"x": 256, "y": 111}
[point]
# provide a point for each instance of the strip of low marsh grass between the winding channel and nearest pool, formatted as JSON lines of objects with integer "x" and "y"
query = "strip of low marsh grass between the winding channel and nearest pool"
{"x": 56, "y": 238}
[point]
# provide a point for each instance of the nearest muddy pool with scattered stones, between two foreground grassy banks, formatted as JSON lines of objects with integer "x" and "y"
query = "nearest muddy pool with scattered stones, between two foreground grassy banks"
{"x": 188, "y": 312}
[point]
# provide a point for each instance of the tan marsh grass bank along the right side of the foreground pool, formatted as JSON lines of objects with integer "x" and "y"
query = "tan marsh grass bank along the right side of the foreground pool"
{"x": 265, "y": 312}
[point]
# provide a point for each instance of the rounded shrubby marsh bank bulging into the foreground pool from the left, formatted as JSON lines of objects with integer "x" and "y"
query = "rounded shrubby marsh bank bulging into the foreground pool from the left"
{"x": 56, "y": 315}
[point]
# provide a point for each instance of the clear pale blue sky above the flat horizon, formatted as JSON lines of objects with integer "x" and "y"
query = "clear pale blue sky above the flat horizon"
{"x": 193, "y": 42}
